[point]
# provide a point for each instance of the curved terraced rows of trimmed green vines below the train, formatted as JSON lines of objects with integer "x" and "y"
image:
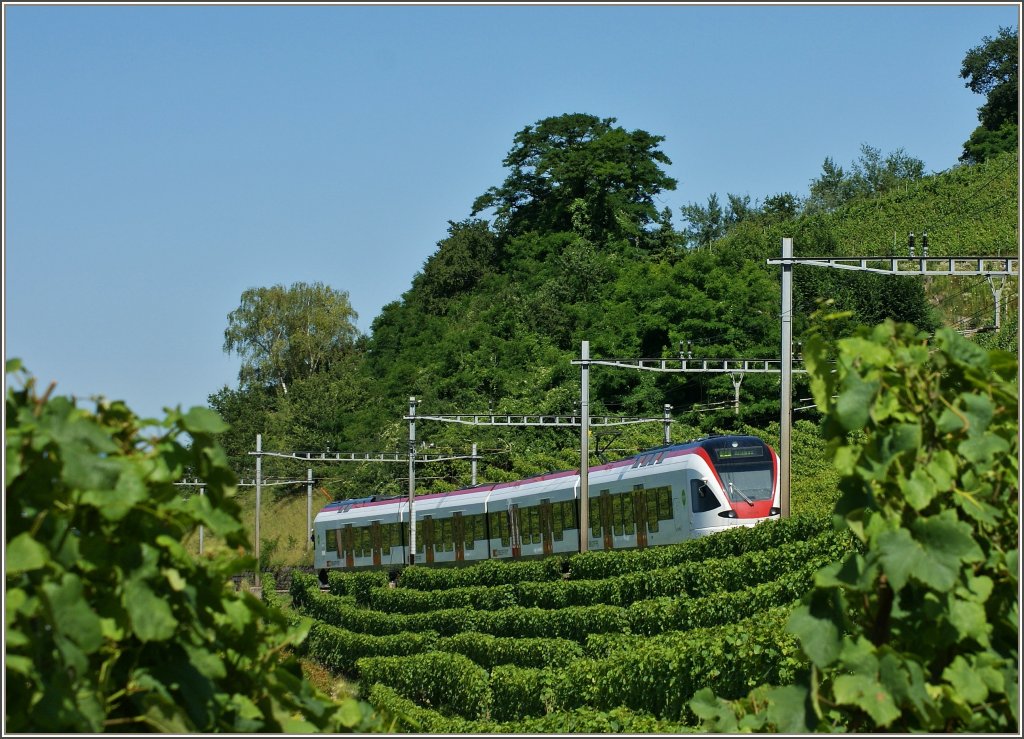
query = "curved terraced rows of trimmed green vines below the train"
{"x": 599, "y": 642}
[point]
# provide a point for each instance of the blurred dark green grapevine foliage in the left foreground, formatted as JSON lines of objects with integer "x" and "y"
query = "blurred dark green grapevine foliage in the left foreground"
{"x": 111, "y": 625}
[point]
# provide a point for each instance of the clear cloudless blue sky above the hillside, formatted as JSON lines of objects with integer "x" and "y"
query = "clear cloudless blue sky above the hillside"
{"x": 161, "y": 160}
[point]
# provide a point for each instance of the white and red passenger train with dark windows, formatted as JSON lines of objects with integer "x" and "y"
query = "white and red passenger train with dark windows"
{"x": 659, "y": 497}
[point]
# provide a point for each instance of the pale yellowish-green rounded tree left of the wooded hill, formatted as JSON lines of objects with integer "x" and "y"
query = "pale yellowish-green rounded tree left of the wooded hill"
{"x": 284, "y": 334}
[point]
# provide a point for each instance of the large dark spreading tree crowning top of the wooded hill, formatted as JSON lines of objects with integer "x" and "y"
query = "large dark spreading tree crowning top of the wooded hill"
{"x": 573, "y": 157}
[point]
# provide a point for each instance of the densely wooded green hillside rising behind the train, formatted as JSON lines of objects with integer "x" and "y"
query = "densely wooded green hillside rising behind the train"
{"x": 571, "y": 248}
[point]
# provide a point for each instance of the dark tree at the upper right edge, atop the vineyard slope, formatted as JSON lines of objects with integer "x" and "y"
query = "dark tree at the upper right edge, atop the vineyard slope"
{"x": 991, "y": 70}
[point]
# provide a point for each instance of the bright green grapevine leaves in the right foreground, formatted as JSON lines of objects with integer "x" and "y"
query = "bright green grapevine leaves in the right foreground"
{"x": 920, "y": 631}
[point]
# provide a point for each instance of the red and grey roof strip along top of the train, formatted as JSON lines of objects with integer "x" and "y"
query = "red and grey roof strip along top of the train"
{"x": 707, "y": 443}
